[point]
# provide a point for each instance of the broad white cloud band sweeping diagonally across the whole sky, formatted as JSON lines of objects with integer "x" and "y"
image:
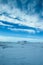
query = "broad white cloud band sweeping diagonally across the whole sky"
{"x": 27, "y": 20}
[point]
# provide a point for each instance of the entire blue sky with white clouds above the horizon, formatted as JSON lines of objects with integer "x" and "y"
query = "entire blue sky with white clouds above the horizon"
{"x": 21, "y": 19}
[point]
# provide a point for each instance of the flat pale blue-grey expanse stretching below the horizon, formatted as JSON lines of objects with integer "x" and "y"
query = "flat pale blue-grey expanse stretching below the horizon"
{"x": 21, "y": 53}
